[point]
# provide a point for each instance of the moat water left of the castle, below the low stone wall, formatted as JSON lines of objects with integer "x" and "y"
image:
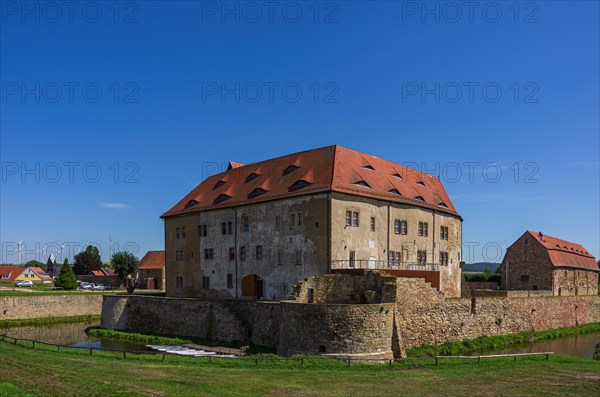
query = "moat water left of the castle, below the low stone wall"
{"x": 72, "y": 334}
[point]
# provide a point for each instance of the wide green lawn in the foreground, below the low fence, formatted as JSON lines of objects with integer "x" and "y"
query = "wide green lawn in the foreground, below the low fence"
{"x": 43, "y": 372}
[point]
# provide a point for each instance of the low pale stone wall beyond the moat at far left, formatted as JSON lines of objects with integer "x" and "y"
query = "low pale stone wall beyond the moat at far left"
{"x": 36, "y": 306}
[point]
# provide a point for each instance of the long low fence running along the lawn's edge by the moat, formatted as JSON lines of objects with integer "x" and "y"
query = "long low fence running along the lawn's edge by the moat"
{"x": 257, "y": 360}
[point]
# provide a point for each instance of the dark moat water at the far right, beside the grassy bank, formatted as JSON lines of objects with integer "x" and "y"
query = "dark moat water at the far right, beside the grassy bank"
{"x": 578, "y": 346}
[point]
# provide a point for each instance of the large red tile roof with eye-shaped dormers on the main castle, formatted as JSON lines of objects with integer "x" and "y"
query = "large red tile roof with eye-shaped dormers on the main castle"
{"x": 331, "y": 168}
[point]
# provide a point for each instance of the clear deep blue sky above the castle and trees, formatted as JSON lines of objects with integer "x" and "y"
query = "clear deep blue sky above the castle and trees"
{"x": 461, "y": 92}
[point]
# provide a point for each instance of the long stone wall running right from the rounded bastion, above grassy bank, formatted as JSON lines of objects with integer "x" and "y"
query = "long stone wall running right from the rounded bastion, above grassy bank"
{"x": 427, "y": 318}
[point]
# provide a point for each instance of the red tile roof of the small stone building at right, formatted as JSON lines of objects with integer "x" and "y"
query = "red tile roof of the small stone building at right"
{"x": 565, "y": 253}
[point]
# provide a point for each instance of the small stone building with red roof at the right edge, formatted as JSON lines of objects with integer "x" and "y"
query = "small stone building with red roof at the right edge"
{"x": 539, "y": 262}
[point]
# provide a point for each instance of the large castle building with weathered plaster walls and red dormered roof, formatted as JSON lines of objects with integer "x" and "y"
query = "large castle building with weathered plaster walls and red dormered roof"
{"x": 253, "y": 231}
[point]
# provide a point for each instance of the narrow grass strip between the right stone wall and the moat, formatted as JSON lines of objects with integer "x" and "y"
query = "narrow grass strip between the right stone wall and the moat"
{"x": 493, "y": 342}
